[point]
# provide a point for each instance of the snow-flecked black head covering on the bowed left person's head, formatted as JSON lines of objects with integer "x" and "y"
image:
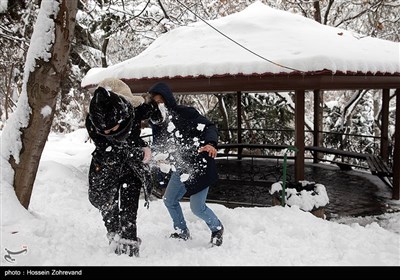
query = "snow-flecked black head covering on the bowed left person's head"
{"x": 107, "y": 109}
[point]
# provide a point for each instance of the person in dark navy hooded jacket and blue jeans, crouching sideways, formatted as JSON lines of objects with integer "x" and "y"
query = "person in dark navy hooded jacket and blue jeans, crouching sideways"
{"x": 185, "y": 142}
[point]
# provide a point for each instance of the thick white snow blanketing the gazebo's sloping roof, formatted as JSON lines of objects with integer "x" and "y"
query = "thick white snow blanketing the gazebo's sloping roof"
{"x": 284, "y": 38}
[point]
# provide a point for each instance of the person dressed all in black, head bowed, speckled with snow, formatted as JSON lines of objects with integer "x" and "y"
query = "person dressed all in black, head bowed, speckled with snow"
{"x": 119, "y": 166}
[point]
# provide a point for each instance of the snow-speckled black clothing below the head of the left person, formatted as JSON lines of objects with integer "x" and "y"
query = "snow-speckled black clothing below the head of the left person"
{"x": 117, "y": 173}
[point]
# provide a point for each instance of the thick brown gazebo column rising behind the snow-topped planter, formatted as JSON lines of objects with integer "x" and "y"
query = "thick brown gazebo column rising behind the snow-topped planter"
{"x": 299, "y": 137}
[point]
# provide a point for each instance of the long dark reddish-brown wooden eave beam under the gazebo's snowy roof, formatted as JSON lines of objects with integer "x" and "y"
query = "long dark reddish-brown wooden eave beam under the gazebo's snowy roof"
{"x": 266, "y": 82}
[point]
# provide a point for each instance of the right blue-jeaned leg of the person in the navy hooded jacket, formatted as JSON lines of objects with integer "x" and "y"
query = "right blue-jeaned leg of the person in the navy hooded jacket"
{"x": 200, "y": 209}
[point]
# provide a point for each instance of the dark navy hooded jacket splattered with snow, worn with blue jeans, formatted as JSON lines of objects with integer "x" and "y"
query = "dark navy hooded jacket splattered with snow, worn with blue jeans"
{"x": 181, "y": 136}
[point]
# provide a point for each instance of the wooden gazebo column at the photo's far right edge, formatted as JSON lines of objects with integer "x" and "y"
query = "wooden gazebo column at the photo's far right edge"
{"x": 396, "y": 155}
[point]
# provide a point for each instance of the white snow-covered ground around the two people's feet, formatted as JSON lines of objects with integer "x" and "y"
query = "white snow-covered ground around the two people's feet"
{"x": 63, "y": 229}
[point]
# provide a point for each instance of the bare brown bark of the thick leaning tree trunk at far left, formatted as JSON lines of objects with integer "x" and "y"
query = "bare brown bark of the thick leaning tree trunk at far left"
{"x": 43, "y": 85}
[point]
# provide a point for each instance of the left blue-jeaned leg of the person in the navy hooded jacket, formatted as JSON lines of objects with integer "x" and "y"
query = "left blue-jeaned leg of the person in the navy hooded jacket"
{"x": 173, "y": 194}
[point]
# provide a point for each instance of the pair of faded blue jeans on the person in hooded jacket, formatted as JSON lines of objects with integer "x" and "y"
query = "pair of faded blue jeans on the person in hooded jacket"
{"x": 174, "y": 193}
